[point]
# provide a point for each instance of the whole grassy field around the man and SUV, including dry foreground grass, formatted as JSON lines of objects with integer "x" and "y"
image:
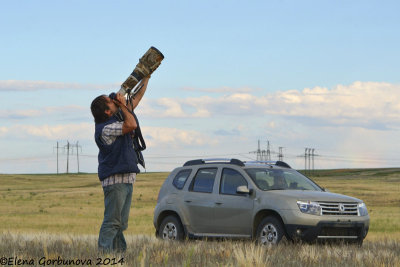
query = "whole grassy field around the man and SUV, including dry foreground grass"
{"x": 54, "y": 212}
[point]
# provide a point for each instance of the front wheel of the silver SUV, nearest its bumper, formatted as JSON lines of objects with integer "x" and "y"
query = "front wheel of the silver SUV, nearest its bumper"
{"x": 270, "y": 231}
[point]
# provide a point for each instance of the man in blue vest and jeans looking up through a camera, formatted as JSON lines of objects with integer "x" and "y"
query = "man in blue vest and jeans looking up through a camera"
{"x": 117, "y": 164}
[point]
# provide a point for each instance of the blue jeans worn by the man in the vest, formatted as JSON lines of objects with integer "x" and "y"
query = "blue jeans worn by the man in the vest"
{"x": 117, "y": 203}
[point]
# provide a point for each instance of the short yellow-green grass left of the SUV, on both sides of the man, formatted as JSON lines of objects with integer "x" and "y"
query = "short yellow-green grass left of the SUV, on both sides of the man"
{"x": 70, "y": 204}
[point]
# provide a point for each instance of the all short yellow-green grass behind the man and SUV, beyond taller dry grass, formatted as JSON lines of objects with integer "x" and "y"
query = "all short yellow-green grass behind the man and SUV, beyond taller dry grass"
{"x": 73, "y": 203}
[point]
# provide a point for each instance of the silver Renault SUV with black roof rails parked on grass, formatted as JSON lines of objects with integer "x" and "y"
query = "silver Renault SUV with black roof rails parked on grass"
{"x": 265, "y": 201}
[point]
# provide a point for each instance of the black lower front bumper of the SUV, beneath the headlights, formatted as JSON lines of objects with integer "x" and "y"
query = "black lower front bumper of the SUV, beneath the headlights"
{"x": 328, "y": 230}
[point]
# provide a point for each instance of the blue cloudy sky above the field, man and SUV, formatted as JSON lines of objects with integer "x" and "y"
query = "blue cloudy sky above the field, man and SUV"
{"x": 294, "y": 74}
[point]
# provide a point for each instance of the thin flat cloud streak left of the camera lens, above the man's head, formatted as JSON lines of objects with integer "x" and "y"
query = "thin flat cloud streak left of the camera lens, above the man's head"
{"x": 15, "y": 85}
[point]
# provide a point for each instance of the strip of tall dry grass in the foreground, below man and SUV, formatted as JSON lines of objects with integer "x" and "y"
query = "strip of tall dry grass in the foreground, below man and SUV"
{"x": 148, "y": 251}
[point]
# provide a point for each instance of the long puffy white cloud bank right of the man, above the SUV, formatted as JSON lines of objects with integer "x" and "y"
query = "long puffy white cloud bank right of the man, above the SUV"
{"x": 364, "y": 104}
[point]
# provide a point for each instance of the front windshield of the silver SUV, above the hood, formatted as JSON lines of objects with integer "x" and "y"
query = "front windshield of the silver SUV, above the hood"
{"x": 280, "y": 179}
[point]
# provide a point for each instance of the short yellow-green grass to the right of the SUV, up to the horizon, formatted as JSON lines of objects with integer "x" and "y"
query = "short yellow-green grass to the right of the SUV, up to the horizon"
{"x": 378, "y": 188}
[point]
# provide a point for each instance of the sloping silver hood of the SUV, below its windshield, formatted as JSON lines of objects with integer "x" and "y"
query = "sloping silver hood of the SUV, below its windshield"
{"x": 306, "y": 195}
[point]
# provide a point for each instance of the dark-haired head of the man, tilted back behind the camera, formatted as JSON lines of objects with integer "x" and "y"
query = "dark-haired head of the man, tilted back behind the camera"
{"x": 103, "y": 108}
